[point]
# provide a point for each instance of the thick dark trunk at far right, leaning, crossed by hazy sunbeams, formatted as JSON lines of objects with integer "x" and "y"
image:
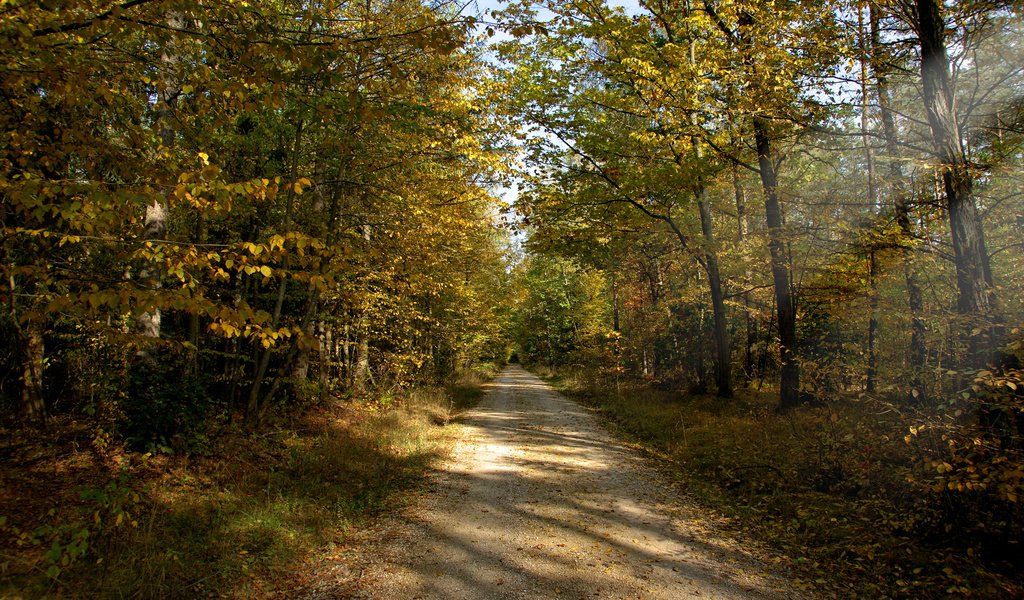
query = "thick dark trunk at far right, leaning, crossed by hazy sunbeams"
{"x": 975, "y": 299}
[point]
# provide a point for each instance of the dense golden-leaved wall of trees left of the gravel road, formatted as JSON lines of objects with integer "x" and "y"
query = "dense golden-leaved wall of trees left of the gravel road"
{"x": 221, "y": 208}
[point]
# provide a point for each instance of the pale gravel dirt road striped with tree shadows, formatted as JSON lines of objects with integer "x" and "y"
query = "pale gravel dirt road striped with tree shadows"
{"x": 540, "y": 502}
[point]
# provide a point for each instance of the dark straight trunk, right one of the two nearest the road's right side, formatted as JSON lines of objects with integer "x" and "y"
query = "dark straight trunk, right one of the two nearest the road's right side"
{"x": 785, "y": 304}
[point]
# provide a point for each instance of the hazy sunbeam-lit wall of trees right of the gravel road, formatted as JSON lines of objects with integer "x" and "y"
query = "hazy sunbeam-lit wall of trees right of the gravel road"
{"x": 822, "y": 200}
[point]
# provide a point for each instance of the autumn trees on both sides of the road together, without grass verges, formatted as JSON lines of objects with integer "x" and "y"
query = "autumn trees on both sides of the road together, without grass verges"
{"x": 225, "y": 212}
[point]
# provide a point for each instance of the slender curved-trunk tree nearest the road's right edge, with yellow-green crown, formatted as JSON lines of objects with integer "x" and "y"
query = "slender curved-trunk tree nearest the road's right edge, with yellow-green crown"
{"x": 622, "y": 102}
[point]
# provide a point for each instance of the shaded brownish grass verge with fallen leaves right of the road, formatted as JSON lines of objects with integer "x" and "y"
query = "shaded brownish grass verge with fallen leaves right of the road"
{"x": 835, "y": 490}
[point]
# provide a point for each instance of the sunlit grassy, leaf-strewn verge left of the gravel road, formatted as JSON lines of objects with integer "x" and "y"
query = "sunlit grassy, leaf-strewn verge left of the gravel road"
{"x": 250, "y": 520}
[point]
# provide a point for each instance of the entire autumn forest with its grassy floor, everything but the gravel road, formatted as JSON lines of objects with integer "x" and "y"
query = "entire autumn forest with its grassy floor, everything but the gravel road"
{"x": 257, "y": 256}
